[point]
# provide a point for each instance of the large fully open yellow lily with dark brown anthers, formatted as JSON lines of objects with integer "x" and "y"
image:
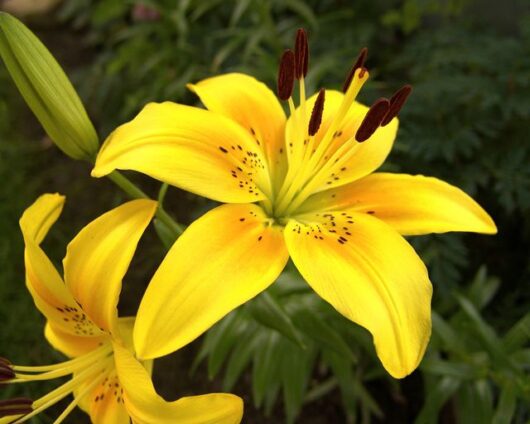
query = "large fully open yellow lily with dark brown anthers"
{"x": 302, "y": 187}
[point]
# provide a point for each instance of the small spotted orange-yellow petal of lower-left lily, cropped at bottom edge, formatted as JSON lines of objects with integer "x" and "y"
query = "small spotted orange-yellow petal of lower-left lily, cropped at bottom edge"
{"x": 107, "y": 403}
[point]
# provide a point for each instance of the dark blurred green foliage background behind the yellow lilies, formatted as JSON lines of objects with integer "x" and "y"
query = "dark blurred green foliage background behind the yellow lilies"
{"x": 287, "y": 353}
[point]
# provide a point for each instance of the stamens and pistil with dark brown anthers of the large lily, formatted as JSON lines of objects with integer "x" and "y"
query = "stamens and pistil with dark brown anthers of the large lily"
{"x": 317, "y": 152}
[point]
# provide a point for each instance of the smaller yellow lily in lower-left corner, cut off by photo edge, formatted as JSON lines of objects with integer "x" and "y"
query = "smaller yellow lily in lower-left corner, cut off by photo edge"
{"x": 108, "y": 382}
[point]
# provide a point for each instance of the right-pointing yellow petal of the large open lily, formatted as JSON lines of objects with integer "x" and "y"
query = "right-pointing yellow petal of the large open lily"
{"x": 410, "y": 204}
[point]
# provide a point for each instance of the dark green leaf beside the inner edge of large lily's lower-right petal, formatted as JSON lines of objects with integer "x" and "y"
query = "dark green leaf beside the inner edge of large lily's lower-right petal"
{"x": 317, "y": 329}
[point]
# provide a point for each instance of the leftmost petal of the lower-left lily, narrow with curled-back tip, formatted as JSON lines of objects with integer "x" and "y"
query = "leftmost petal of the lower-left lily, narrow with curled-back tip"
{"x": 43, "y": 281}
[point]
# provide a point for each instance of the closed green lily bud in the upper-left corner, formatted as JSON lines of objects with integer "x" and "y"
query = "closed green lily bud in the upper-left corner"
{"x": 46, "y": 89}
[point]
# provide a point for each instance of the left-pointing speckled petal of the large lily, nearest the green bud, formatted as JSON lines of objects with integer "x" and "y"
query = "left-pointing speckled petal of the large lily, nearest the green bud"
{"x": 189, "y": 148}
